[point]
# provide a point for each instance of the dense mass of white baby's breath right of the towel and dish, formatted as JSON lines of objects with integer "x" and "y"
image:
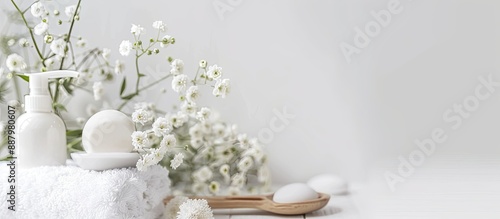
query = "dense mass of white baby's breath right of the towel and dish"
{"x": 204, "y": 155}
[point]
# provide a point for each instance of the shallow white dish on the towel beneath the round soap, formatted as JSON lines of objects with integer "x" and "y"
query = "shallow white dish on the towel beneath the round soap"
{"x": 104, "y": 161}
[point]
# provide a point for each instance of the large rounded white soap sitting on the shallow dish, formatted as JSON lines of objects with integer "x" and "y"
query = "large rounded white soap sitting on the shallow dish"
{"x": 108, "y": 131}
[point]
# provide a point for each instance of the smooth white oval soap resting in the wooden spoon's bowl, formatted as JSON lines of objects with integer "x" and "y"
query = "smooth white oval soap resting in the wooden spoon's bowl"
{"x": 295, "y": 192}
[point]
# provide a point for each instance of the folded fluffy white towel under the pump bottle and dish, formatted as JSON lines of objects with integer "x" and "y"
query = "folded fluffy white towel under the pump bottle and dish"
{"x": 71, "y": 192}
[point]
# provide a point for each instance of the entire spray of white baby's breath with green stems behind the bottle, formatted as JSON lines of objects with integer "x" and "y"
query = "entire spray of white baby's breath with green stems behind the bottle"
{"x": 204, "y": 154}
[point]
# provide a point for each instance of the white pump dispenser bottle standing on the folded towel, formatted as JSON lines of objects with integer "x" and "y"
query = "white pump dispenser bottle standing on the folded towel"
{"x": 41, "y": 134}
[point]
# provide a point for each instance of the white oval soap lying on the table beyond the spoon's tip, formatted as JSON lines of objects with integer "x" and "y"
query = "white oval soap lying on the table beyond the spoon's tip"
{"x": 329, "y": 184}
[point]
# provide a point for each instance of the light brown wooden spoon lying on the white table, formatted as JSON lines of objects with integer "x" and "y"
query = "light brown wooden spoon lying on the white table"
{"x": 265, "y": 203}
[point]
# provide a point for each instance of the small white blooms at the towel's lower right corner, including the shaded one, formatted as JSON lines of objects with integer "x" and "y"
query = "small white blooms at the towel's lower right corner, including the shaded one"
{"x": 181, "y": 207}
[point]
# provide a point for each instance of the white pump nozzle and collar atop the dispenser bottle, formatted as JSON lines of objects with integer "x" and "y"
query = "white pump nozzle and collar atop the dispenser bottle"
{"x": 39, "y": 99}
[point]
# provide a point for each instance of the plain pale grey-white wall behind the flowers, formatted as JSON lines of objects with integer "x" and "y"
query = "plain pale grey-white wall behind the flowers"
{"x": 286, "y": 54}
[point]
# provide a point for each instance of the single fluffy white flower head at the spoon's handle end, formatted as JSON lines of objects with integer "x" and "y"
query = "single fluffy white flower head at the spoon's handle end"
{"x": 195, "y": 208}
